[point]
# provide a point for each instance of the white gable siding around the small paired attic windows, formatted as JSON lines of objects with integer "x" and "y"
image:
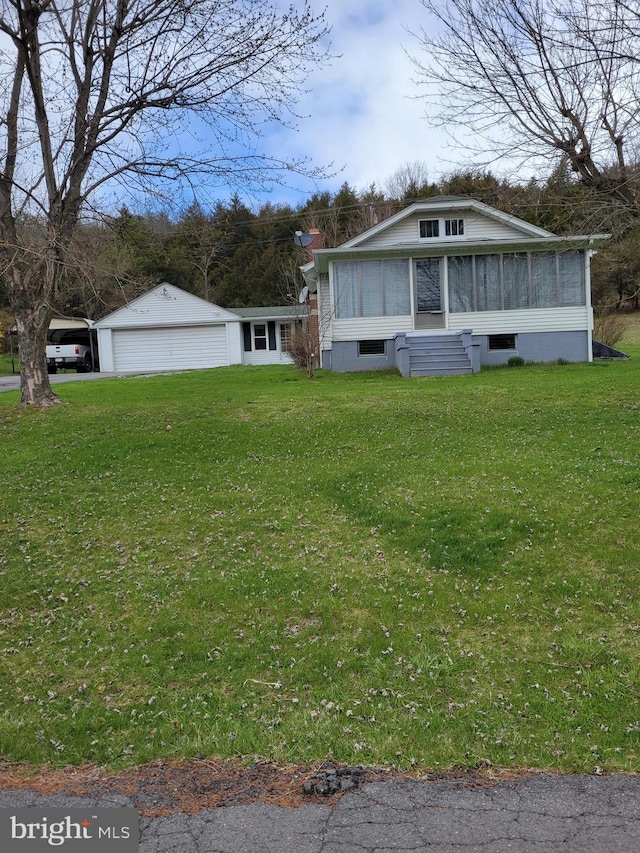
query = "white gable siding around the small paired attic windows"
{"x": 477, "y": 228}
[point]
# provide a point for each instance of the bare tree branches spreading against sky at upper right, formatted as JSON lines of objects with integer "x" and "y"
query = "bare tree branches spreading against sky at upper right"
{"x": 535, "y": 79}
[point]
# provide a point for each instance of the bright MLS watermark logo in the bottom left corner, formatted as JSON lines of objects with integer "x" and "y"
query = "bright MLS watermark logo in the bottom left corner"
{"x": 105, "y": 830}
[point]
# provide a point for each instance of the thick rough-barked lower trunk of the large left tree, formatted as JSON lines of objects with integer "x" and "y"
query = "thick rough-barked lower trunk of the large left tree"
{"x": 32, "y": 323}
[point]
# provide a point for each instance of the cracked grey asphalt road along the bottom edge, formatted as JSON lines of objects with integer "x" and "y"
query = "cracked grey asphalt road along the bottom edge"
{"x": 540, "y": 814}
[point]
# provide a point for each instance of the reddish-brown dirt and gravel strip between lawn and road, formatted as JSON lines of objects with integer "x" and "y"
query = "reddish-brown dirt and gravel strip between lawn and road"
{"x": 163, "y": 787}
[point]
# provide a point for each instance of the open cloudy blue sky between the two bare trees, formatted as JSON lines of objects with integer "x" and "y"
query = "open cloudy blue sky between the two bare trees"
{"x": 362, "y": 114}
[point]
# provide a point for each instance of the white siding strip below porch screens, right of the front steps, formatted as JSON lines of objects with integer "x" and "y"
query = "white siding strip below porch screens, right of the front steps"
{"x": 533, "y": 320}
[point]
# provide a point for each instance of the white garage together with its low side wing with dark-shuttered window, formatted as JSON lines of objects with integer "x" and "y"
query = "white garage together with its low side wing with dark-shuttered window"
{"x": 170, "y": 329}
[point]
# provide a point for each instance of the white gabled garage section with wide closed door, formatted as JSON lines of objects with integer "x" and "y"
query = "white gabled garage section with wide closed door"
{"x": 169, "y": 329}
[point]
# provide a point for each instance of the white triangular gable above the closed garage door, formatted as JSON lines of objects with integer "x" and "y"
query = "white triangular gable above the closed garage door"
{"x": 166, "y": 305}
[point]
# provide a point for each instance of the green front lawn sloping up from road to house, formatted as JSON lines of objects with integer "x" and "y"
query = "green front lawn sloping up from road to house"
{"x": 243, "y": 562}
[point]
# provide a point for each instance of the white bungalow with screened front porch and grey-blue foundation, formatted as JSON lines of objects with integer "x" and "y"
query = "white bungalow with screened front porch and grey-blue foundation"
{"x": 449, "y": 284}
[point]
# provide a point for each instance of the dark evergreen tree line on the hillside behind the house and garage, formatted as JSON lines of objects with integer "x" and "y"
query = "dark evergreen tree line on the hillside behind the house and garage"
{"x": 236, "y": 257}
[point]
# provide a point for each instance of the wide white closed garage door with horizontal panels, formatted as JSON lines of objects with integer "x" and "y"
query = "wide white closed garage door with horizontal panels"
{"x": 175, "y": 348}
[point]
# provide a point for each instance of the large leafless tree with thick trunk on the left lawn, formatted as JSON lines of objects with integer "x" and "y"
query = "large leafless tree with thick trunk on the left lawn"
{"x": 98, "y": 92}
